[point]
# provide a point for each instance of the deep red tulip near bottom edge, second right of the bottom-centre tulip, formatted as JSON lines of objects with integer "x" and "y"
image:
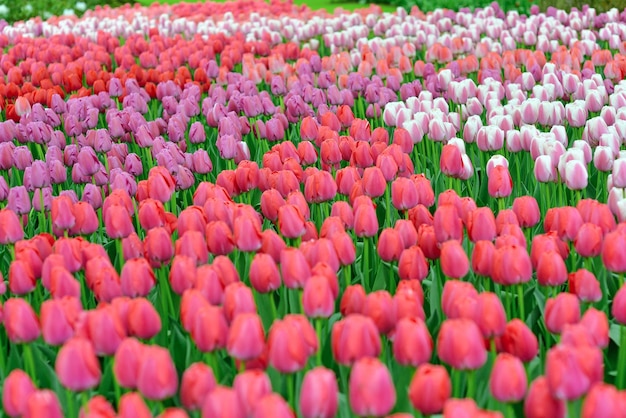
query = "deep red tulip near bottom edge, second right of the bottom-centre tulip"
{"x": 430, "y": 389}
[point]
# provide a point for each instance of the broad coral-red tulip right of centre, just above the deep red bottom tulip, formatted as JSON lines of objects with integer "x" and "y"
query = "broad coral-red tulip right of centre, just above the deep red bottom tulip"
{"x": 460, "y": 344}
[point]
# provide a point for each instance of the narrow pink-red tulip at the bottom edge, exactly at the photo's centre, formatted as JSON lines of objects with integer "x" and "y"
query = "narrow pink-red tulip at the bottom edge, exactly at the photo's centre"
{"x": 319, "y": 394}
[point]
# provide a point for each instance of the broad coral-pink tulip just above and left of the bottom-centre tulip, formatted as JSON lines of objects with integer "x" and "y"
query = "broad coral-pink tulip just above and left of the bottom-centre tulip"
{"x": 290, "y": 342}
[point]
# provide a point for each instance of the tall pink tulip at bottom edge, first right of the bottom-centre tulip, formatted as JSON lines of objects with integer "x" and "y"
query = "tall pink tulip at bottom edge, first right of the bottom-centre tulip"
{"x": 371, "y": 389}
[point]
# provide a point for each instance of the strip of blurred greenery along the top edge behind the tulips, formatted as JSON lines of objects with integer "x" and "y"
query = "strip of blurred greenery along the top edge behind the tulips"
{"x": 15, "y": 10}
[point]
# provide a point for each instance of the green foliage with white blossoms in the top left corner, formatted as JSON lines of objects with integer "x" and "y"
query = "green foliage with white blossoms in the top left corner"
{"x": 14, "y": 10}
